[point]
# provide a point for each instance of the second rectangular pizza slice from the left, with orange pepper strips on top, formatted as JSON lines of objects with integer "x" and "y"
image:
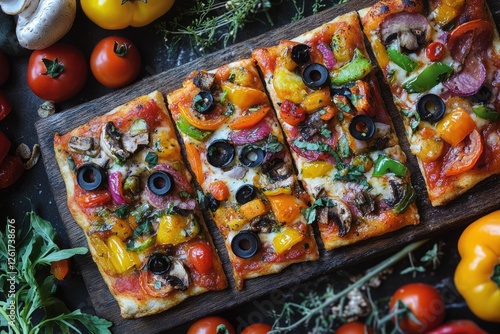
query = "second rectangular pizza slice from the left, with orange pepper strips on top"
{"x": 238, "y": 153}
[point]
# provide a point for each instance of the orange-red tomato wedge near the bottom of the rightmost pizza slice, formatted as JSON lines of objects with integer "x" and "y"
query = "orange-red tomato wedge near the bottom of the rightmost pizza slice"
{"x": 464, "y": 156}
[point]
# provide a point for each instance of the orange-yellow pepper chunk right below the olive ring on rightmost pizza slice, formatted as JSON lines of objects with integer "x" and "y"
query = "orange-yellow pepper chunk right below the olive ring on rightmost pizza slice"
{"x": 455, "y": 126}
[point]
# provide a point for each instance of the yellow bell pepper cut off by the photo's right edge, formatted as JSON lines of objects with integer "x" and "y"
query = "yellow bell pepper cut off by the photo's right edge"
{"x": 477, "y": 276}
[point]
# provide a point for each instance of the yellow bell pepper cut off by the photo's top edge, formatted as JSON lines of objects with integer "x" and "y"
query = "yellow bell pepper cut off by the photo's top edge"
{"x": 119, "y": 14}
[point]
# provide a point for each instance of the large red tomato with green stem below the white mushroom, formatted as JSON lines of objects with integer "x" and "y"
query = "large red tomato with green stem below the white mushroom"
{"x": 57, "y": 73}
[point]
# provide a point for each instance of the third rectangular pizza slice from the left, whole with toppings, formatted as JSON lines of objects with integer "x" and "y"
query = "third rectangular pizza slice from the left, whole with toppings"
{"x": 345, "y": 148}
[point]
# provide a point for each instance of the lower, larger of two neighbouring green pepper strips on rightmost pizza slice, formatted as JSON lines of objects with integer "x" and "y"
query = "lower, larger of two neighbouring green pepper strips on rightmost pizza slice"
{"x": 428, "y": 78}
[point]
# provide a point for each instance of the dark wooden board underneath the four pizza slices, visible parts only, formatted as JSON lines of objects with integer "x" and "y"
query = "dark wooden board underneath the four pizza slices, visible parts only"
{"x": 483, "y": 199}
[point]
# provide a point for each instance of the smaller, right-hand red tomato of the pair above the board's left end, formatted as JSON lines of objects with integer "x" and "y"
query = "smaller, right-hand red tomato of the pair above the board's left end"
{"x": 115, "y": 62}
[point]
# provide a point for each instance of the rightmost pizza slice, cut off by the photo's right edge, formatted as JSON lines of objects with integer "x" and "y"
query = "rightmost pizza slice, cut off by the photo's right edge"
{"x": 441, "y": 60}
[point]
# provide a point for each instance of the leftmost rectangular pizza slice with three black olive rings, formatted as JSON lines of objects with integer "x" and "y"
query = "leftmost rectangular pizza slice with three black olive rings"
{"x": 129, "y": 191}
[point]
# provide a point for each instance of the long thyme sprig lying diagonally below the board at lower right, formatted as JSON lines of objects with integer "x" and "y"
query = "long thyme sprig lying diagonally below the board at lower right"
{"x": 314, "y": 306}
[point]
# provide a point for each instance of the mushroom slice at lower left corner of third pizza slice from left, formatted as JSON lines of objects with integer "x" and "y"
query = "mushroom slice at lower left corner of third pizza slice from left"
{"x": 337, "y": 213}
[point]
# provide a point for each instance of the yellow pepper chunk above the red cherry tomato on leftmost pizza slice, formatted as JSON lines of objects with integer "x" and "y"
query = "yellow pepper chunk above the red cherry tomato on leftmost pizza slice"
{"x": 175, "y": 229}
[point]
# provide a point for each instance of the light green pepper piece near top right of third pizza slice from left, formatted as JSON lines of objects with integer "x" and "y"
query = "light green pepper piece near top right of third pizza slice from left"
{"x": 357, "y": 68}
